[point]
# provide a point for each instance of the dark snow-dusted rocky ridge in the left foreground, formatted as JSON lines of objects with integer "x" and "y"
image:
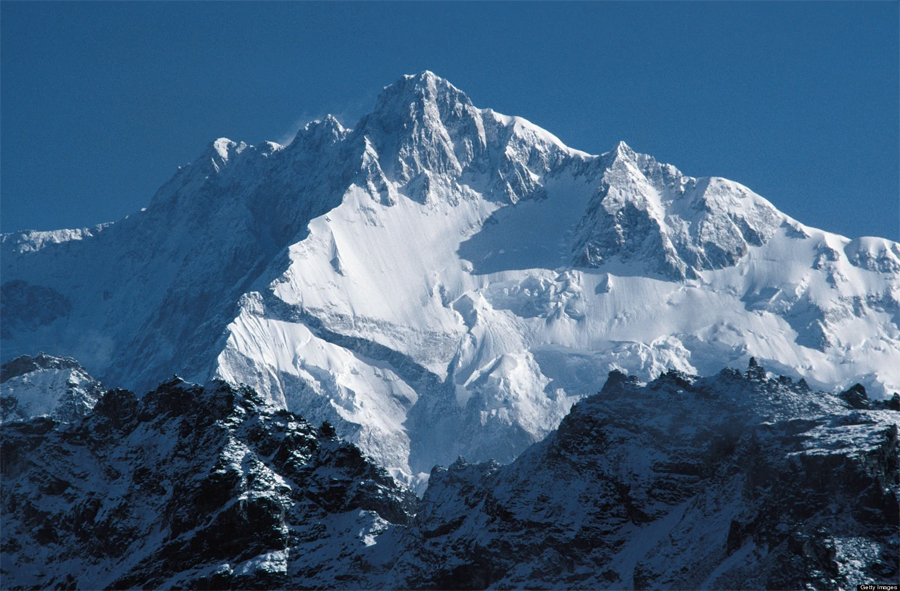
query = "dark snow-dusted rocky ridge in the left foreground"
{"x": 193, "y": 488}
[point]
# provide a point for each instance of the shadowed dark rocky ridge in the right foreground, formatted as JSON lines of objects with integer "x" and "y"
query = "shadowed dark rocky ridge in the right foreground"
{"x": 734, "y": 481}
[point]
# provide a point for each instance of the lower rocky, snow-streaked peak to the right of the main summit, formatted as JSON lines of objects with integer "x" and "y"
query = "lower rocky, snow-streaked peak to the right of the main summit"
{"x": 678, "y": 225}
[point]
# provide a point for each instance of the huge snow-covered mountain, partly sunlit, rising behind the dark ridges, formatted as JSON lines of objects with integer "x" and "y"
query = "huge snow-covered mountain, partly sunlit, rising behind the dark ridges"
{"x": 443, "y": 280}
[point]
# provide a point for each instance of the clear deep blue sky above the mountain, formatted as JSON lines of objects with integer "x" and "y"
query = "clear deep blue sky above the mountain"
{"x": 101, "y": 102}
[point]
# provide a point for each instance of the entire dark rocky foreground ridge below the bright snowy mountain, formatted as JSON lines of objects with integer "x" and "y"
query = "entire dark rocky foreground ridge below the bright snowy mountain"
{"x": 739, "y": 480}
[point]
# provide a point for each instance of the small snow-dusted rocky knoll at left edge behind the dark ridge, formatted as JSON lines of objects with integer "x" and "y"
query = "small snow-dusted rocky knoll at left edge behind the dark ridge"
{"x": 46, "y": 385}
